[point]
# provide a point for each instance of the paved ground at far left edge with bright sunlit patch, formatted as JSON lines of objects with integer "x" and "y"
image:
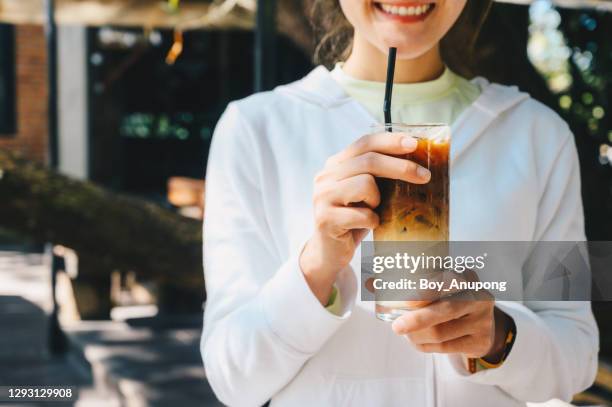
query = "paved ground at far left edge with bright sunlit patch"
{"x": 25, "y": 360}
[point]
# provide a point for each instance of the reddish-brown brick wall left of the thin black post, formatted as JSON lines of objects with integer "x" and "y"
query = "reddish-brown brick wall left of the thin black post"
{"x": 31, "y": 92}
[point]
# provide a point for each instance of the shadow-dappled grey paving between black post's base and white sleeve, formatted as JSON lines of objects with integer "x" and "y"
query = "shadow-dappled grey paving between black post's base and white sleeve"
{"x": 146, "y": 366}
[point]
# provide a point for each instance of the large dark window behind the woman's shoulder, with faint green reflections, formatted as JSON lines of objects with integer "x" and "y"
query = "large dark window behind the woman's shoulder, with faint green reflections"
{"x": 151, "y": 121}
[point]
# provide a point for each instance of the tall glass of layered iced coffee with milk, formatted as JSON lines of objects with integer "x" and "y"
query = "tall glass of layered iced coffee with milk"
{"x": 415, "y": 212}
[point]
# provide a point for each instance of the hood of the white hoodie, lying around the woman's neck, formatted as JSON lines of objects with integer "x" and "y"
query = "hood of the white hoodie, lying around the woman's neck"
{"x": 319, "y": 88}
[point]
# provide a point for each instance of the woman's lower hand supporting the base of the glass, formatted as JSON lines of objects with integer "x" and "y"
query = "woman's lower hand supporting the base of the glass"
{"x": 475, "y": 328}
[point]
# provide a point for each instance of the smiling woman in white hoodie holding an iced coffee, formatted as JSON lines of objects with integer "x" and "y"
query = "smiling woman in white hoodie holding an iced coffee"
{"x": 283, "y": 319}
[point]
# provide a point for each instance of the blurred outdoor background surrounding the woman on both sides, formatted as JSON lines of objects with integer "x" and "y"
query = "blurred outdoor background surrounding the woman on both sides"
{"x": 107, "y": 110}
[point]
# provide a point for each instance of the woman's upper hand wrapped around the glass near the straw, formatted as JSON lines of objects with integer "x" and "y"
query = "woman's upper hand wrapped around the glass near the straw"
{"x": 345, "y": 195}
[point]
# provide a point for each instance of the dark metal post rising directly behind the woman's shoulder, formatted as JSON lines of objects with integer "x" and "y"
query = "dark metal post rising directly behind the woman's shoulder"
{"x": 265, "y": 45}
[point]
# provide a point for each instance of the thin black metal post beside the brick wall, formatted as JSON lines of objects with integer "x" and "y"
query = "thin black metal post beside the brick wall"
{"x": 57, "y": 340}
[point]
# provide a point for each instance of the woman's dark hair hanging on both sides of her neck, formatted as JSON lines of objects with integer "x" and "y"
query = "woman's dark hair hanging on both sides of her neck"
{"x": 334, "y": 34}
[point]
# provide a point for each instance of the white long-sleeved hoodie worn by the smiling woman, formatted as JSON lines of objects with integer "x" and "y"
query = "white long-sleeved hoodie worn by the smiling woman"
{"x": 515, "y": 176}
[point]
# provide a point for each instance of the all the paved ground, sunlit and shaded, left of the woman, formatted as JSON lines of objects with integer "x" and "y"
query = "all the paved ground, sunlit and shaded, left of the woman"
{"x": 149, "y": 363}
